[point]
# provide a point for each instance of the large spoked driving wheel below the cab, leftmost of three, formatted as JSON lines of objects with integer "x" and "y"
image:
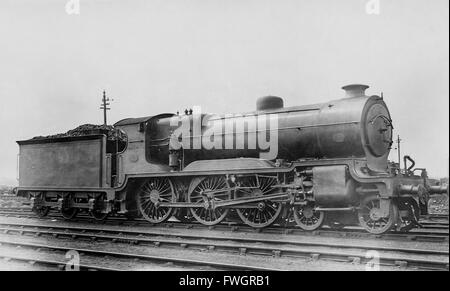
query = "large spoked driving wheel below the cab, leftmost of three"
{"x": 151, "y": 194}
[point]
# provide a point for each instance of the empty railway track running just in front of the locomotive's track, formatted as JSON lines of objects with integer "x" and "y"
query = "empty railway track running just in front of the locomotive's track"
{"x": 353, "y": 253}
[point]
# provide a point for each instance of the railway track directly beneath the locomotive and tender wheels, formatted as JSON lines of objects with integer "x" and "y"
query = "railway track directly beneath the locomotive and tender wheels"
{"x": 427, "y": 234}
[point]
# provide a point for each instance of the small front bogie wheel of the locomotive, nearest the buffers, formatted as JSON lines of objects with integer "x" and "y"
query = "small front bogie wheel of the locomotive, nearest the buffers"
{"x": 371, "y": 218}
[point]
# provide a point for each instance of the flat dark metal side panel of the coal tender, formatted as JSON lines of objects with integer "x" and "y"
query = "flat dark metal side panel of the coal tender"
{"x": 76, "y": 163}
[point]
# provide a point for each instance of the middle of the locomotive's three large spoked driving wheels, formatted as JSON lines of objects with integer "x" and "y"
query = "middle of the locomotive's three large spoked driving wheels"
{"x": 205, "y": 192}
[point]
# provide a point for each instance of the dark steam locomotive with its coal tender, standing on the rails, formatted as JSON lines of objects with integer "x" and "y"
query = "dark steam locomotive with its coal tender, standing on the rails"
{"x": 309, "y": 165}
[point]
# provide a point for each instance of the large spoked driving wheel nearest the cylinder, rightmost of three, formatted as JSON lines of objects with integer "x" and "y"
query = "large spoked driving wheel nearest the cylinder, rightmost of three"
{"x": 260, "y": 214}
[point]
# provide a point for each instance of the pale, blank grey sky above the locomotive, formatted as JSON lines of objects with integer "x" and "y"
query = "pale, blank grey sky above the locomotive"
{"x": 163, "y": 56}
